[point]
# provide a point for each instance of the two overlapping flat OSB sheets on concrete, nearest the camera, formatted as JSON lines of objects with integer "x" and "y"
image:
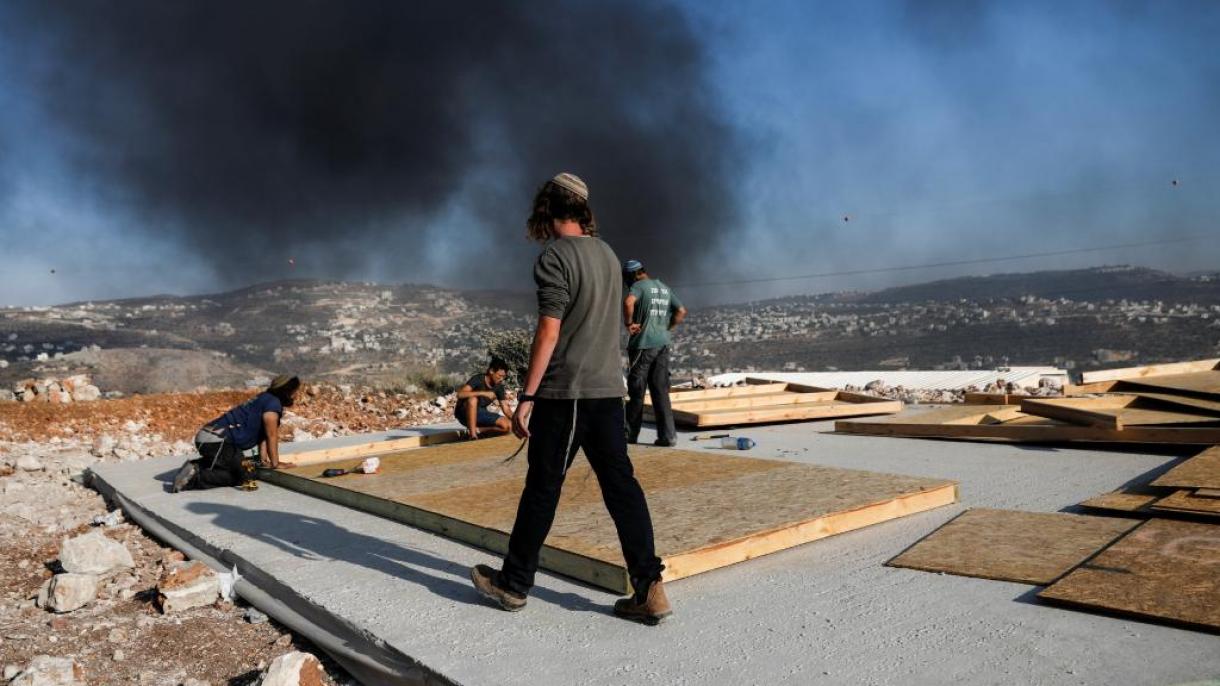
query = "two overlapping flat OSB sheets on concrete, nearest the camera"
{"x": 1162, "y": 571}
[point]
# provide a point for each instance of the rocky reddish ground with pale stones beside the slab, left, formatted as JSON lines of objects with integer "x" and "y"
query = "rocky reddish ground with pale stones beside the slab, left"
{"x": 132, "y": 627}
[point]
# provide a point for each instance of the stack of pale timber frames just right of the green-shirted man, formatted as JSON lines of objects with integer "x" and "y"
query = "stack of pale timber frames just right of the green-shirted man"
{"x": 761, "y": 402}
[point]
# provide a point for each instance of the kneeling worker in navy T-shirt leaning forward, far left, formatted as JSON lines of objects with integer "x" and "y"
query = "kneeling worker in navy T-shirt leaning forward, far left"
{"x": 221, "y": 442}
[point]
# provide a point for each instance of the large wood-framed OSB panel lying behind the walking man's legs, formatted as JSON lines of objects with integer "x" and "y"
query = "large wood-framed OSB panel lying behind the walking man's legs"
{"x": 709, "y": 510}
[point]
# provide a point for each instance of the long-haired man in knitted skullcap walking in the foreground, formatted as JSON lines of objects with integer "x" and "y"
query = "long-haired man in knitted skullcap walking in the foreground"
{"x": 573, "y": 400}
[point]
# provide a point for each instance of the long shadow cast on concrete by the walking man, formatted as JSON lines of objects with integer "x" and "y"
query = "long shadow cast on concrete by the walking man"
{"x": 314, "y": 539}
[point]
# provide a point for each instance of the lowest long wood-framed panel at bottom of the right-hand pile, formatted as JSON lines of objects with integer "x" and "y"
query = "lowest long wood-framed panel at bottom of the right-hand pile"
{"x": 1006, "y": 423}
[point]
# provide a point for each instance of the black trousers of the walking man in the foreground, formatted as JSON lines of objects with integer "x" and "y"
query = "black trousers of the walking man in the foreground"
{"x": 557, "y": 430}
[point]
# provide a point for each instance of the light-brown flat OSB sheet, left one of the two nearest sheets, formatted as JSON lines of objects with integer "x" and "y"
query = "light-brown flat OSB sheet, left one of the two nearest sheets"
{"x": 1013, "y": 546}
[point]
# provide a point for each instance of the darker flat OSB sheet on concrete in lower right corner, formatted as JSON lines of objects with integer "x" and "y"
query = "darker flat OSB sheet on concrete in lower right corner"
{"x": 1163, "y": 571}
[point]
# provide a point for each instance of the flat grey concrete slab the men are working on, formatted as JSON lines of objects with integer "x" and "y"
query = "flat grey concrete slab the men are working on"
{"x": 824, "y": 613}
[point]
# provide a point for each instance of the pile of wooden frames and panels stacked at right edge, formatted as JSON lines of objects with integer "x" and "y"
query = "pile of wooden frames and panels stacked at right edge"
{"x": 1175, "y": 403}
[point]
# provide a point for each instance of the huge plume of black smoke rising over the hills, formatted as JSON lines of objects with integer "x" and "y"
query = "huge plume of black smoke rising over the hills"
{"x": 348, "y": 131}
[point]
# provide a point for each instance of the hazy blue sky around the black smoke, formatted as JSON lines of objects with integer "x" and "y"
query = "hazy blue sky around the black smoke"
{"x": 944, "y": 131}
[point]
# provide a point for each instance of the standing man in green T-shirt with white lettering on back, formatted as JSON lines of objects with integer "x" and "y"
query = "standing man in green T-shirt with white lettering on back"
{"x": 651, "y": 311}
